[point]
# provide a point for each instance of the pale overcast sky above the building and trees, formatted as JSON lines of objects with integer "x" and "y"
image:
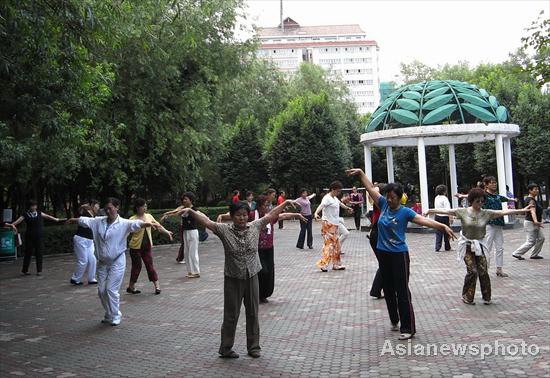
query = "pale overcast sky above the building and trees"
{"x": 434, "y": 32}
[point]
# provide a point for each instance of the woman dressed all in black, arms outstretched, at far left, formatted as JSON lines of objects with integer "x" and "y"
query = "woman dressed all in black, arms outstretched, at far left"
{"x": 34, "y": 220}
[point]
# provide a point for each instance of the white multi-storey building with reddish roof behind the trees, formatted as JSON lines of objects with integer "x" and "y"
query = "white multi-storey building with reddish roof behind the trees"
{"x": 342, "y": 50}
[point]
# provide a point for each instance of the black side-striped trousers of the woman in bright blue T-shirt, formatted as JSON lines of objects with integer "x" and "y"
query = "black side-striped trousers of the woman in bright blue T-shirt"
{"x": 395, "y": 277}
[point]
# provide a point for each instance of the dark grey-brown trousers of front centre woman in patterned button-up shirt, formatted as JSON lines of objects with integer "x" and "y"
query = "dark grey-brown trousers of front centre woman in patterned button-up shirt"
{"x": 234, "y": 291}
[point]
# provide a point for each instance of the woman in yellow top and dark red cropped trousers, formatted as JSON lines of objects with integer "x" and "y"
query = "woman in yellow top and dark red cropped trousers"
{"x": 140, "y": 247}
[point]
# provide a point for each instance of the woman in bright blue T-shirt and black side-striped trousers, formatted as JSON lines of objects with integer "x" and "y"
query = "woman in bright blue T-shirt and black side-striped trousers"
{"x": 393, "y": 251}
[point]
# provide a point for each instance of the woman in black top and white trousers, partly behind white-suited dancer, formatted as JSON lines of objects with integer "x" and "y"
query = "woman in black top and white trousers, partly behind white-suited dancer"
{"x": 83, "y": 244}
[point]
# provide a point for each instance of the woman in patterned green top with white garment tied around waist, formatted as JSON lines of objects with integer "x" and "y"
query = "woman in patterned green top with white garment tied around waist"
{"x": 471, "y": 246}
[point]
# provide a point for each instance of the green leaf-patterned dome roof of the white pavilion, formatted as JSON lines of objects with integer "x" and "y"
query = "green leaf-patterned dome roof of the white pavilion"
{"x": 437, "y": 102}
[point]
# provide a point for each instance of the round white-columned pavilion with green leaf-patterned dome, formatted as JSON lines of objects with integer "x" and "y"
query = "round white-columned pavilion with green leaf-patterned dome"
{"x": 440, "y": 112}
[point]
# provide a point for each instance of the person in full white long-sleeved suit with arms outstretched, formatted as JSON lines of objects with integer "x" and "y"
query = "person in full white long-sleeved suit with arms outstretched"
{"x": 110, "y": 240}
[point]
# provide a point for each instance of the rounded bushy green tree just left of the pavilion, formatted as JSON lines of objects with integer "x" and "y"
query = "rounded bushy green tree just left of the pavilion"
{"x": 307, "y": 145}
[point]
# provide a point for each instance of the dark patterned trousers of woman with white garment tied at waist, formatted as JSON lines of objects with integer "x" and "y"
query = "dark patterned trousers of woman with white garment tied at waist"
{"x": 476, "y": 266}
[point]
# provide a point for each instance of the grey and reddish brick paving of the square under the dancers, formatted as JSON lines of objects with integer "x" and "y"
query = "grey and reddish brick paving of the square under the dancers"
{"x": 317, "y": 324}
